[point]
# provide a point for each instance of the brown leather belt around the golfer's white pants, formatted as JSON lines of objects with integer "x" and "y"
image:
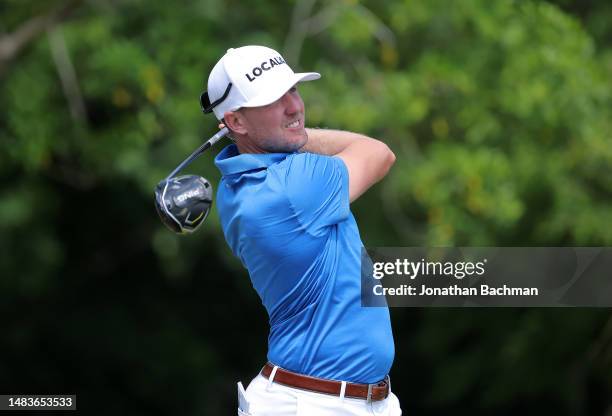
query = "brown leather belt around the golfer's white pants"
{"x": 370, "y": 392}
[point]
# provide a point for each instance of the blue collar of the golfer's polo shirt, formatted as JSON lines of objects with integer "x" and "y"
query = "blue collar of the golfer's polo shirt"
{"x": 230, "y": 161}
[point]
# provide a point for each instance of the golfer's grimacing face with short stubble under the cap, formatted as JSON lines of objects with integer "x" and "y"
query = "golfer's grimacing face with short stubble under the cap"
{"x": 277, "y": 127}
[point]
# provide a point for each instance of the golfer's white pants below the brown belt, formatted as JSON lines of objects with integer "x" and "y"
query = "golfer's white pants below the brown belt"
{"x": 263, "y": 398}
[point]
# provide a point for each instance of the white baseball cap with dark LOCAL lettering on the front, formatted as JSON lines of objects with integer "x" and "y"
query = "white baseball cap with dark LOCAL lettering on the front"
{"x": 249, "y": 76}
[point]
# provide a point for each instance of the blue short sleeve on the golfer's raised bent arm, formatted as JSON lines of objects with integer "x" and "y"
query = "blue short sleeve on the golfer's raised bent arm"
{"x": 318, "y": 190}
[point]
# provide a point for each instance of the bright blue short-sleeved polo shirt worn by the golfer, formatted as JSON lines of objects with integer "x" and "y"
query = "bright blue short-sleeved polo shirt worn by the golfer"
{"x": 286, "y": 216}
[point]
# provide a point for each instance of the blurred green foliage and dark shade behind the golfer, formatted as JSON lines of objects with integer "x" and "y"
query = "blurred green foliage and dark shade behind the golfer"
{"x": 499, "y": 112}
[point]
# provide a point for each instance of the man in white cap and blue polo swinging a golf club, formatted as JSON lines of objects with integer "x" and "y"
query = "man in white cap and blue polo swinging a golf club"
{"x": 284, "y": 202}
